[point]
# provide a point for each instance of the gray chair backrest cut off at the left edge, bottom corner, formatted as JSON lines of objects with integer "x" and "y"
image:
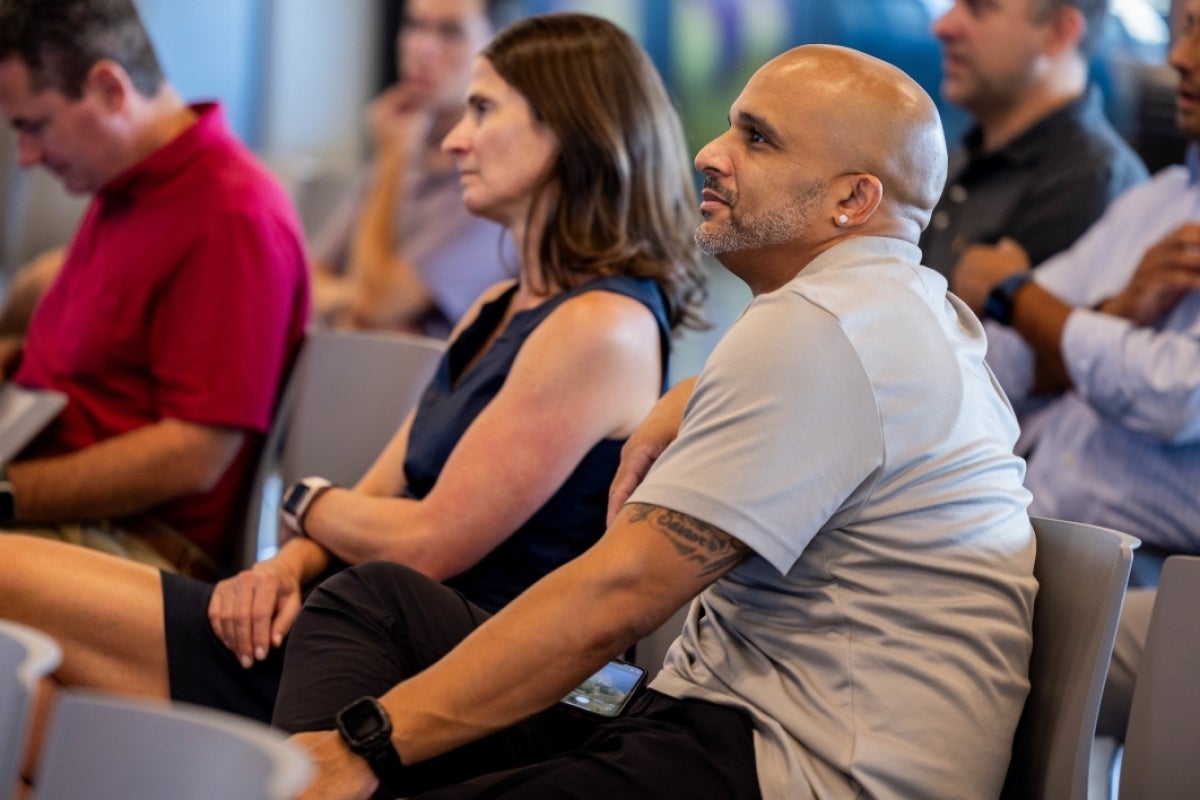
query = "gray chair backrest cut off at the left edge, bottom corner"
{"x": 26, "y": 657}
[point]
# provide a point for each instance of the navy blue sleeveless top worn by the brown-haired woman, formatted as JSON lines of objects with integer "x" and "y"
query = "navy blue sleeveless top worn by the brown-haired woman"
{"x": 574, "y": 519}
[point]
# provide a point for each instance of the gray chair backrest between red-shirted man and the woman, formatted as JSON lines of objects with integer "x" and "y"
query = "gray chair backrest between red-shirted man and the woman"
{"x": 347, "y": 395}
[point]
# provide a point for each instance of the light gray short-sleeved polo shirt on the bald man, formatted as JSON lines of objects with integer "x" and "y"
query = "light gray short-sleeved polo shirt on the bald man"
{"x": 848, "y": 430}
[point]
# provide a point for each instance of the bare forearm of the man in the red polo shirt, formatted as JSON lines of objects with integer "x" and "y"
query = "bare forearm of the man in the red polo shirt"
{"x": 127, "y": 474}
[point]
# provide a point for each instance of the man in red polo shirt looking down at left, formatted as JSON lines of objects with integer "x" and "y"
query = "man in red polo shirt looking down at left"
{"x": 179, "y": 304}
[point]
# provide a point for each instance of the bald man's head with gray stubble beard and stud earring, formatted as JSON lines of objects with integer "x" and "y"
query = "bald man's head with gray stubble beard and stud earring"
{"x": 825, "y": 145}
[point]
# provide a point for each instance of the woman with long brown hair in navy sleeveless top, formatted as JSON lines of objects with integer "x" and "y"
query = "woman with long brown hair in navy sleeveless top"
{"x": 569, "y": 141}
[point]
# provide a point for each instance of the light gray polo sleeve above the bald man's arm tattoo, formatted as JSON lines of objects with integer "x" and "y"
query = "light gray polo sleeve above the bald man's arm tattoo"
{"x": 782, "y": 437}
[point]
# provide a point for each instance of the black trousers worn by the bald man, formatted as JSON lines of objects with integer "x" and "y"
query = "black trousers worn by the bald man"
{"x": 369, "y": 628}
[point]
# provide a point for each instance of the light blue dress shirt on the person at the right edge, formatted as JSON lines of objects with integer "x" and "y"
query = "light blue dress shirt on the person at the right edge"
{"x": 1121, "y": 449}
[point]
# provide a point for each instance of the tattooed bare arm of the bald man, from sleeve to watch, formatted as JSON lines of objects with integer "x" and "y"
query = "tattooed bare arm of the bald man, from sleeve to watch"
{"x": 561, "y": 630}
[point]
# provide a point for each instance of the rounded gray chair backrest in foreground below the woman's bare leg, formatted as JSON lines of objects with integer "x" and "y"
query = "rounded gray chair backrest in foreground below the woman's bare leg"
{"x": 106, "y": 747}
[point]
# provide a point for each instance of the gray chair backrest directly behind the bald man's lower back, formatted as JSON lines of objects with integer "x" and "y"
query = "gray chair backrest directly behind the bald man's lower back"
{"x": 1082, "y": 573}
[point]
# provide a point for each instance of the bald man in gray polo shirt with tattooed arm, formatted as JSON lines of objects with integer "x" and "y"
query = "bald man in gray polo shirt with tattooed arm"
{"x": 836, "y": 495}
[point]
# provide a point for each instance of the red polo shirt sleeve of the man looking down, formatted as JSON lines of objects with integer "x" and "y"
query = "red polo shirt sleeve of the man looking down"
{"x": 226, "y": 321}
